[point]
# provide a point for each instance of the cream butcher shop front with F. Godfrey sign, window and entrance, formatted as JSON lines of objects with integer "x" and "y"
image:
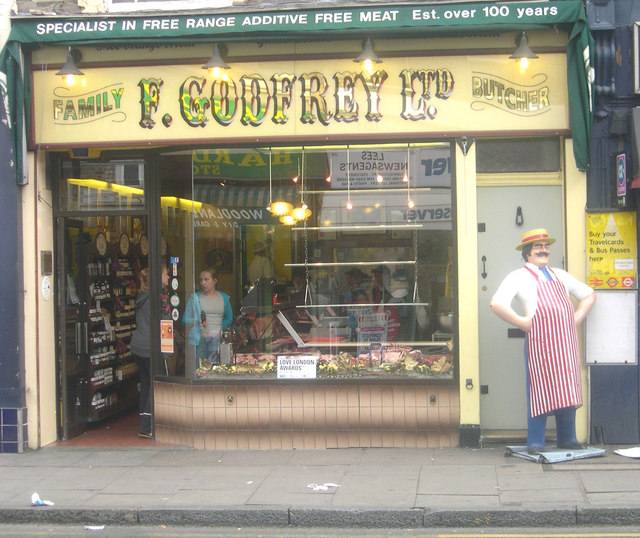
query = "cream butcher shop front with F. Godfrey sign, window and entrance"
{"x": 317, "y": 216}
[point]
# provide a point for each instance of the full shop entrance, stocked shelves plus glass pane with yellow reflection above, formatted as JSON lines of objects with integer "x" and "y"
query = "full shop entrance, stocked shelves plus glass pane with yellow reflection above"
{"x": 102, "y": 244}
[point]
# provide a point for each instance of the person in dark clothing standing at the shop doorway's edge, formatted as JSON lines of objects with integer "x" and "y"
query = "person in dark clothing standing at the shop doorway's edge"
{"x": 140, "y": 347}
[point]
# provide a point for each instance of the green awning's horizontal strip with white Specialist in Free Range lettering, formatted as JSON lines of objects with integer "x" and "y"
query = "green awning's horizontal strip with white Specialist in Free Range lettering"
{"x": 425, "y": 18}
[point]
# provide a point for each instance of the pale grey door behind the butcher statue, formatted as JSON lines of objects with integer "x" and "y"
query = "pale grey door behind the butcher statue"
{"x": 505, "y": 213}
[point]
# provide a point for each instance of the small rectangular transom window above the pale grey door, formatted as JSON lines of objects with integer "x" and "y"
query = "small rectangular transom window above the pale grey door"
{"x": 518, "y": 155}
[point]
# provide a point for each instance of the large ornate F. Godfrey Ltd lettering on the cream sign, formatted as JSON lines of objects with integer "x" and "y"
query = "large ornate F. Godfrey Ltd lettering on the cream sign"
{"x": 250, "y": 98}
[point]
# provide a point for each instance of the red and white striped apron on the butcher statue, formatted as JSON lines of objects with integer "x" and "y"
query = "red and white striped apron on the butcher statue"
{"x": 552, "y": 343}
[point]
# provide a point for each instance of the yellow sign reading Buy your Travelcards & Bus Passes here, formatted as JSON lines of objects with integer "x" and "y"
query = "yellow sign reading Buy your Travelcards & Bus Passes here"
{"x": 611, "y": 250}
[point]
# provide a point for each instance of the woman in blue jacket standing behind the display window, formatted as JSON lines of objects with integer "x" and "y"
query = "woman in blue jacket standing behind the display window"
{"x": 207, "y": 313}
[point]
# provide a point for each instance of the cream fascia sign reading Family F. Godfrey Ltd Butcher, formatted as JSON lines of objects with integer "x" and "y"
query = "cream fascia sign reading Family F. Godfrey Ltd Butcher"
{"x": 306, "y": 99}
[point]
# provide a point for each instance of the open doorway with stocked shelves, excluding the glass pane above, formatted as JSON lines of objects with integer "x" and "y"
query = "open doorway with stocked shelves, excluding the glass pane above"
{"x": 98, "y": 271}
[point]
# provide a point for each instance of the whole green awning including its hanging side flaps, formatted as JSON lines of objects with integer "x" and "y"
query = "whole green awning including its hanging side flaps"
{"x": 419, "y": 20}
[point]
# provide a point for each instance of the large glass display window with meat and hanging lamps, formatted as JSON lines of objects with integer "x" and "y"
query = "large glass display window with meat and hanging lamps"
{"x": 358, "y": 282}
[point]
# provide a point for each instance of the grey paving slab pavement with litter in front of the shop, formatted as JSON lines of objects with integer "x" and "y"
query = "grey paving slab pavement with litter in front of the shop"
{"x": 385, "y": 487}
